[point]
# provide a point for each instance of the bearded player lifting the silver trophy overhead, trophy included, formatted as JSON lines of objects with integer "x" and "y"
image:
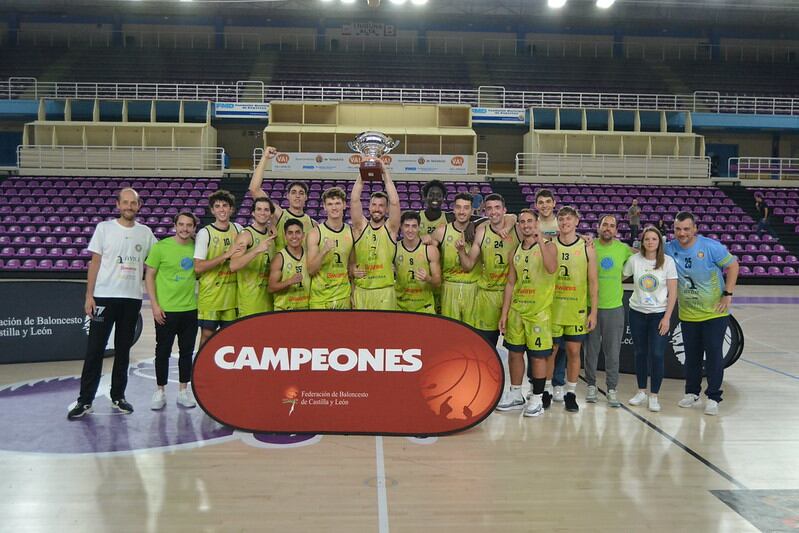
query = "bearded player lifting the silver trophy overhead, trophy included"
{"x": 375, "y": 237}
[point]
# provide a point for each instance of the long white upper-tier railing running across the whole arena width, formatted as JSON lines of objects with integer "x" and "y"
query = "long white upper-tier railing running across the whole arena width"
{"x": 253, "y": 91}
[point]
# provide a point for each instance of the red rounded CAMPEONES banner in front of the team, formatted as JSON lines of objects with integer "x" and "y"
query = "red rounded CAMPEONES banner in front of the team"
{"x": 364, "y": 372}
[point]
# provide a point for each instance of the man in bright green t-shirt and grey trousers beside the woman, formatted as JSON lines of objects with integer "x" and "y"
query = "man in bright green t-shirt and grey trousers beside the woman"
{"x": 611, "y": 254}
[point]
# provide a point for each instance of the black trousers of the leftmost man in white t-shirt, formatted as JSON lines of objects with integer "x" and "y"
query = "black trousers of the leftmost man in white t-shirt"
{"x": 122, "y": 312}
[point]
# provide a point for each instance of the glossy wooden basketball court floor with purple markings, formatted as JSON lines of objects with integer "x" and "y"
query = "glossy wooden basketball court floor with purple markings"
{"x": 601, "y": 469}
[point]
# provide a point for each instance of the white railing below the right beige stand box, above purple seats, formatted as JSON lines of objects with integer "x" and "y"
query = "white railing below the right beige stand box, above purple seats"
{"x": 611, "y": 166}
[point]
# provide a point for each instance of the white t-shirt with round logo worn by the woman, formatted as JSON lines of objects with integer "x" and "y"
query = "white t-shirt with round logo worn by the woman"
{"x": 650, "y": 294}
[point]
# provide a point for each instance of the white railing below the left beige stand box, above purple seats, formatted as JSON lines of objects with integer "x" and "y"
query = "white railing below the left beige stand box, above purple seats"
{"x": 127, "y": 158}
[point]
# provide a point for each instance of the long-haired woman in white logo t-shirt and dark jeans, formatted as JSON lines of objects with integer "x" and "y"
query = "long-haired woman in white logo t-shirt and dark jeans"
{"x": 651, "y": 304}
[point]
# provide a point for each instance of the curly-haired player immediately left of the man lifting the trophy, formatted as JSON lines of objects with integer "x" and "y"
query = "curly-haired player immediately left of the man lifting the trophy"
{"x": 329, "y": 247}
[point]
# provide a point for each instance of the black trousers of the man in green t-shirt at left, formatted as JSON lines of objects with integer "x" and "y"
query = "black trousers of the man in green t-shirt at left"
{"x": 183, "y": 325}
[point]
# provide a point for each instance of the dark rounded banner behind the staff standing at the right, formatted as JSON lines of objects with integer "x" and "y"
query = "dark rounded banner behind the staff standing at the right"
{"x": 674, "y": 357}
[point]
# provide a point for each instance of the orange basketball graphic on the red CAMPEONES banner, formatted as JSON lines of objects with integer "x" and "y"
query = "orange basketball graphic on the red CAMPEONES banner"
{"x": 459, "y": 387}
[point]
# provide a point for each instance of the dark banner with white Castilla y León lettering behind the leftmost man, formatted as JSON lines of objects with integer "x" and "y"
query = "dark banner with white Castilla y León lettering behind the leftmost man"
{"x": 44, "y": 321}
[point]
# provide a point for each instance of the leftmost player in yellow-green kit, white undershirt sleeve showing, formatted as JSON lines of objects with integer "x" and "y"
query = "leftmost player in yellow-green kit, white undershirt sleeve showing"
{"x": 214, "y": 246}
